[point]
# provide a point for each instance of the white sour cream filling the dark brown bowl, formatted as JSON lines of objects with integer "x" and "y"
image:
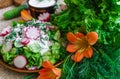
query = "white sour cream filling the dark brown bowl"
{"x": 42, "y": 4}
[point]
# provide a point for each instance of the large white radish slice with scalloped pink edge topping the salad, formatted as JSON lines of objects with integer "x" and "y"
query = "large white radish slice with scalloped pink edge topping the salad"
{"x": 32, "y": 33}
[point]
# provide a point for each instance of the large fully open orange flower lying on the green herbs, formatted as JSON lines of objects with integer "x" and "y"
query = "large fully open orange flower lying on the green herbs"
{"x": 81, "y": 45}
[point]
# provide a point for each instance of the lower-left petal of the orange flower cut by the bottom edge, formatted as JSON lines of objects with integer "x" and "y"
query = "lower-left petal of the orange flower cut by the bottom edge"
{"x": 46, "y": 73}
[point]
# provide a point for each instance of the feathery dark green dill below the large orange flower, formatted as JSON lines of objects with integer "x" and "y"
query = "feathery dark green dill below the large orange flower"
{"x": 100, "y": 66}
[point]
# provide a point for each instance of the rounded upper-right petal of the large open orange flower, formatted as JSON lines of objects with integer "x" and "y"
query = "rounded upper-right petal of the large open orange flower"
{"x": 92, "y": 37}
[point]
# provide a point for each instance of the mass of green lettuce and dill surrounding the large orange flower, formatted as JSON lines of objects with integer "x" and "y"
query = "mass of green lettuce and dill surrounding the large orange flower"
{"x": 102, "y": 16}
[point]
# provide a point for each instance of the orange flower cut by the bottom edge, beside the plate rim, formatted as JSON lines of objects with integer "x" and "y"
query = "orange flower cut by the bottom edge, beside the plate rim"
{"x": 49, "y": 71}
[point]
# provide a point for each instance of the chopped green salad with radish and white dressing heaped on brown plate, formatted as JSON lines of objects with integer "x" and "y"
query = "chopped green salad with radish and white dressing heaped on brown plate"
{"x": 43, "y": 47}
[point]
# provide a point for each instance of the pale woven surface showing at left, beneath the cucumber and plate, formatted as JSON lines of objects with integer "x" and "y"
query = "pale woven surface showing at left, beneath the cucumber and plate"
{"x": 4, "y": 72}
